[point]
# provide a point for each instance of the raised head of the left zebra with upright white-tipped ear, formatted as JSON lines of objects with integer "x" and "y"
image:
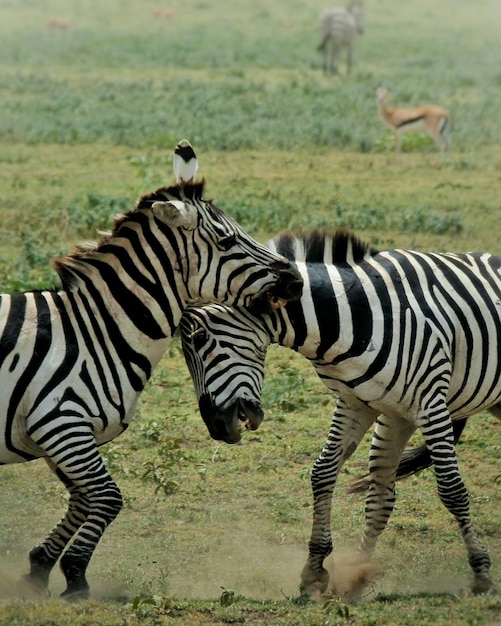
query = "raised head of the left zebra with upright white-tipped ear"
{"x": 217, "y": 260}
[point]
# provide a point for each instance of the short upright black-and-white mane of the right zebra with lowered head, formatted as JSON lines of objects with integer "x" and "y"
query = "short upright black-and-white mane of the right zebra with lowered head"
{"x": 322, "y": 246}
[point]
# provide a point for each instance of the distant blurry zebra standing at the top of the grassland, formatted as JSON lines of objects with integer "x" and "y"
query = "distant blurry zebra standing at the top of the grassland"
{"x": 338, "y": 29}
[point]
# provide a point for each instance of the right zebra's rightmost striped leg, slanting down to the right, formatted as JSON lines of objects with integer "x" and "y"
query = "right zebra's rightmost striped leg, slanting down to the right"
{"x": 439, "y": 438}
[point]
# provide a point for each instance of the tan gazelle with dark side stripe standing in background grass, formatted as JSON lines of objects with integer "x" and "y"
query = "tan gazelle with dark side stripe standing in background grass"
{"x": 431, "y": 119}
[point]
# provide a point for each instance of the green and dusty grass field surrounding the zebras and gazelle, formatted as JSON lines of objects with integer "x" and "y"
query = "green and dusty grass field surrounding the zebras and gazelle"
{"x": 213, "y": 534}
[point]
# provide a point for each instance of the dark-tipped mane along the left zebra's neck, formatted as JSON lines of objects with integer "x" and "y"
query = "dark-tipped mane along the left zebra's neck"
{"x": 65, "y": 266}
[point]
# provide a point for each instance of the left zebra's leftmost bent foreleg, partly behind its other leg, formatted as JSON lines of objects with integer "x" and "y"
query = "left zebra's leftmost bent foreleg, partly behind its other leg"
{"x": 44, "y": 556}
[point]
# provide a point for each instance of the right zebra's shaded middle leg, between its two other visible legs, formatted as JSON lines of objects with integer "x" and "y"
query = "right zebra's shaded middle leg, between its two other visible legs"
{"x": 389, "y": 440}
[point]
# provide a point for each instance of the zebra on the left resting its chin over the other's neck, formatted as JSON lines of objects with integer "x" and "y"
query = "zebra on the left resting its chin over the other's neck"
{"x": 73, "y": 361}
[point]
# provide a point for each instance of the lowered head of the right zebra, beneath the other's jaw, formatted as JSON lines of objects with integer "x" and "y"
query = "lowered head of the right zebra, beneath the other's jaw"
{"x": 225, "y": 349}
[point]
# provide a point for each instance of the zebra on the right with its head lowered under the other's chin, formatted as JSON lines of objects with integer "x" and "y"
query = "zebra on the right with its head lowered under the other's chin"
{"x": 405, "y": 339}
